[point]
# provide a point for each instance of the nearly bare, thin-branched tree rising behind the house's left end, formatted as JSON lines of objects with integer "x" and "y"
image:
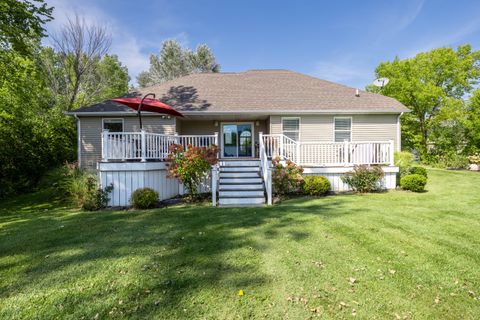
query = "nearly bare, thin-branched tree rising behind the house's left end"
{"x": 79, "y": 47}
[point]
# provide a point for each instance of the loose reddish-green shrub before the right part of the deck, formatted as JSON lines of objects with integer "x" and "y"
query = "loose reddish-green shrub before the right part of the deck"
{"x": 364, "y": 178}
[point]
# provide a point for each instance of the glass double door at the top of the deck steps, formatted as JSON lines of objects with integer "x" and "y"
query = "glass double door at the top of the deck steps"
{"x": 237, "y": 140}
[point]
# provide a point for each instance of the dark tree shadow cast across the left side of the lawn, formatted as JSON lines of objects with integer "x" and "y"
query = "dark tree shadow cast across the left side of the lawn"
{"x": 181, "y": 250}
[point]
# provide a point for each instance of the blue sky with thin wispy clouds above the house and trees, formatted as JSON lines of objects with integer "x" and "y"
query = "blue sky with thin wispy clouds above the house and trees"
{"x": 341, "y": 41}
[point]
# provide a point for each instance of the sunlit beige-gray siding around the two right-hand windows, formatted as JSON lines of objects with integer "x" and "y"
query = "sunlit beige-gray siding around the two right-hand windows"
{"x": 373, "y": 127}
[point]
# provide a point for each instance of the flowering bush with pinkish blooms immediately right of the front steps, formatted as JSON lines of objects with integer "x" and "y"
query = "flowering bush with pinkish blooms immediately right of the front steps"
{"x": 286, "y": 178}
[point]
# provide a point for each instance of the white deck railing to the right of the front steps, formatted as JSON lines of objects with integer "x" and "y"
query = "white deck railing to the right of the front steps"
{"x": 329, "y": 153}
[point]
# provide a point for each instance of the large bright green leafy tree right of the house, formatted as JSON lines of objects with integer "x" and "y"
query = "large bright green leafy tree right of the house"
{"x": 430, "y": 84}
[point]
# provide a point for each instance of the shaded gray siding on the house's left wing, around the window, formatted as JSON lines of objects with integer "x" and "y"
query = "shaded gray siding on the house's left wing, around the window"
{"x": 91, "y": 134}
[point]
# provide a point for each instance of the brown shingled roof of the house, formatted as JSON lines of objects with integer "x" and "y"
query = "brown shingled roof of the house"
{"x": 269, "y": 91}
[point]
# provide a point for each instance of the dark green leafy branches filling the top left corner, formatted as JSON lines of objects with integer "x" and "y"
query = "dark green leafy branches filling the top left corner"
{"x": 21, "y": 24}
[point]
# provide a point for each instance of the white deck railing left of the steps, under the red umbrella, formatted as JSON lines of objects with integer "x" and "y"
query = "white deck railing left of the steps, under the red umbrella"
{"x": 148, "y": 146}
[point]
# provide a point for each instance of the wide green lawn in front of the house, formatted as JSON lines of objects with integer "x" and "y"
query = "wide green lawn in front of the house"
{"x": 377, "y": 256}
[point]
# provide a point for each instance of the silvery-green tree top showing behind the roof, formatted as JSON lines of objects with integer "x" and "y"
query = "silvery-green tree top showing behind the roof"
{"x": 174, "y": 62}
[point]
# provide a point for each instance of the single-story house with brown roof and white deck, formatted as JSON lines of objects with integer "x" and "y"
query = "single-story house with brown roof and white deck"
{"x": 252, "y": 116}
